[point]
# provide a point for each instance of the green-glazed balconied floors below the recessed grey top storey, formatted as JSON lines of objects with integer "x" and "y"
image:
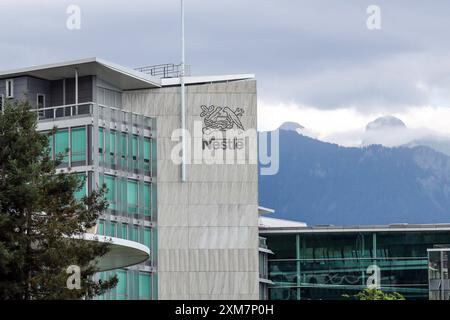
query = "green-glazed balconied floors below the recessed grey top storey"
{"x": 119, "y": 153}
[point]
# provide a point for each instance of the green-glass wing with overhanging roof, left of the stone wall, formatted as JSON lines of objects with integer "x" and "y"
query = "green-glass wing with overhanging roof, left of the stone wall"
{"x": 79, "y": 108}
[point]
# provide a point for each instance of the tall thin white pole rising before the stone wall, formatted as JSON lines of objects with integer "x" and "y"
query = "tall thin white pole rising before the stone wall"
{"x": 183, "y": 100}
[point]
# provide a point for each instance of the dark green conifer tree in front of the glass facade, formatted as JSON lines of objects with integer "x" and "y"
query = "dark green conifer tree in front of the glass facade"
{"x": 40, "y": 218}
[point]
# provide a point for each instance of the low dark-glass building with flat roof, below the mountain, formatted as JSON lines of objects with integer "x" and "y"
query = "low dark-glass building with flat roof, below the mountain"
{"x": 329, "y": 262}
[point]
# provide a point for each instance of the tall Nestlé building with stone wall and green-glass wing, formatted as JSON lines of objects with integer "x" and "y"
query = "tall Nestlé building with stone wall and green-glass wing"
{"x": 114, "y": 126}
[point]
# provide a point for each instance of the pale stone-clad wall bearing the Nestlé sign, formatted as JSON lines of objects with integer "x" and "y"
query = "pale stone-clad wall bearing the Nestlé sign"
{"x": 207, "y": 226}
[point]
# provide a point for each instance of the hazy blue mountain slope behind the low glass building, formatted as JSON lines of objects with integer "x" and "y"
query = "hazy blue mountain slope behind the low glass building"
{"x": 323, "y": 183}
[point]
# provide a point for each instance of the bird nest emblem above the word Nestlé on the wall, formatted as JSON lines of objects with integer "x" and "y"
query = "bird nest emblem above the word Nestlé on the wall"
{"x": 220, "y": 119}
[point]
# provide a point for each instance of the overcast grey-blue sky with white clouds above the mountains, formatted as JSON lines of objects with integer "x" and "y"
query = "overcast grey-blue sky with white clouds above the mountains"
{"x": 316, "y": 61}
